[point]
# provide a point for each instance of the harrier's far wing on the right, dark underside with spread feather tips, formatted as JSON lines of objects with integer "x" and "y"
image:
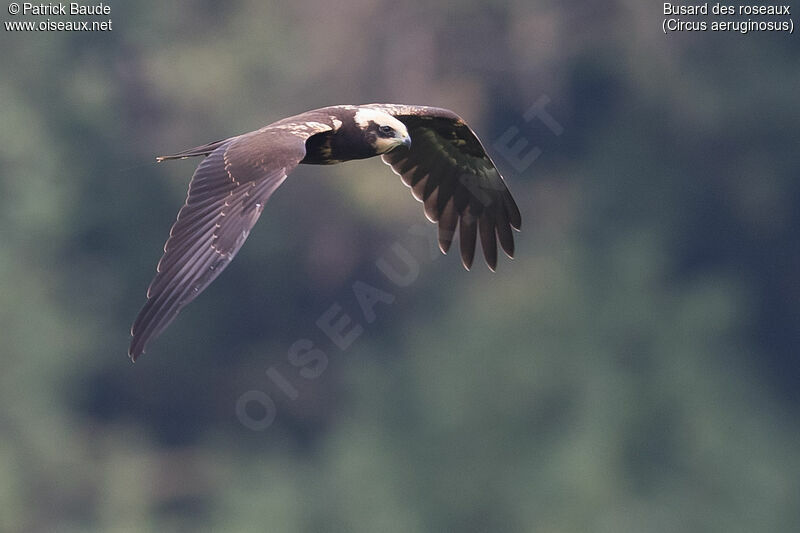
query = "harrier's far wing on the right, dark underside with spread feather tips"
{"x": 449, "y": 171}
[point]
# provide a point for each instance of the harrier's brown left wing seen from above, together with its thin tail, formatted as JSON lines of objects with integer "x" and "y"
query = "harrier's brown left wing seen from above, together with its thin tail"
{"x": 226, "y": 196}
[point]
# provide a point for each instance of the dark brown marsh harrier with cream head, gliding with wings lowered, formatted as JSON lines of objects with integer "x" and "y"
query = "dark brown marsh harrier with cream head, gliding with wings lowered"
{"x": 432, "y": 149}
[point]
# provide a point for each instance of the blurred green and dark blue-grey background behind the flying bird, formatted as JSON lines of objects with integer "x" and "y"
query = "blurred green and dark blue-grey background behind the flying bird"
{"x": 635, "y": 368}
